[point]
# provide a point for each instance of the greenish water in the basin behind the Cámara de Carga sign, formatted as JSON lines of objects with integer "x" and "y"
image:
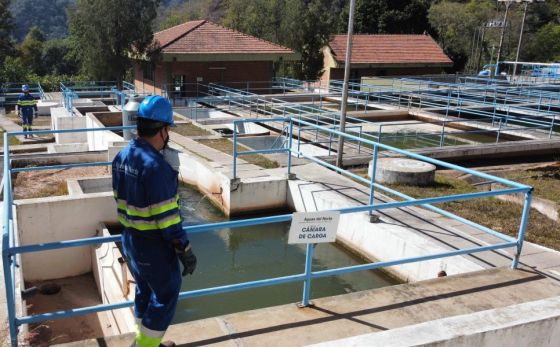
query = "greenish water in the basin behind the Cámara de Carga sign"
{"x": 231, "y": 256}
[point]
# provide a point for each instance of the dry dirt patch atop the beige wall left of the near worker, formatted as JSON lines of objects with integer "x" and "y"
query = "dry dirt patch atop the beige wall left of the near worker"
{"x": 43, "y": 183}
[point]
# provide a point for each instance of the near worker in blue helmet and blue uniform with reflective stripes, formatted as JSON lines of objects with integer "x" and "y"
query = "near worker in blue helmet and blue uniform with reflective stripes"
{"x": 145, "y": 188}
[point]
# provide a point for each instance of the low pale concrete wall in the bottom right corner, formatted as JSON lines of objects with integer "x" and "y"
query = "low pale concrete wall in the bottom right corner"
{"x": 535, "y": 323}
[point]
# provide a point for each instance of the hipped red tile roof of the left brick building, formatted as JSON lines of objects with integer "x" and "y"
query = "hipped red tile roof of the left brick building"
{"x": 207, "y": 37}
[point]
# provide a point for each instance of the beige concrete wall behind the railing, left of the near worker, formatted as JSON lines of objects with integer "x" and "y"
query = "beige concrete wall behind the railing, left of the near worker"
{"x": 57, "y": 219}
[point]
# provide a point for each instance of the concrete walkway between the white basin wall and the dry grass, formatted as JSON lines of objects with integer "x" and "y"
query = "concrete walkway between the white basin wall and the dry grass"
{"x": 435, "y": 228}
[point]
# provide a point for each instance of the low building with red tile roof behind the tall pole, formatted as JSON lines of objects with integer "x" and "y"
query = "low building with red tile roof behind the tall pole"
{"x": 384, "y": 55}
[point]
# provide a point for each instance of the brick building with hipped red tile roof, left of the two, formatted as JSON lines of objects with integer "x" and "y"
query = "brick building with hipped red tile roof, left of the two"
{"x": 205, "y": 52}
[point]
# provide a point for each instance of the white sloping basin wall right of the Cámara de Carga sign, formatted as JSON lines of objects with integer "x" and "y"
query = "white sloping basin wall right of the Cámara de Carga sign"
{"x": 377, "y": 241}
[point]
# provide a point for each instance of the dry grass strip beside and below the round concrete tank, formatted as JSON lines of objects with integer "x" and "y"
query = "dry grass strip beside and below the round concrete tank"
{"x": 499, "y": 215}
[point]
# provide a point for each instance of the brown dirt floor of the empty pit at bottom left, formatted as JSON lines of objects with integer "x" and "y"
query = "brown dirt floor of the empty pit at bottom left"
{"x": 75, "y": 292}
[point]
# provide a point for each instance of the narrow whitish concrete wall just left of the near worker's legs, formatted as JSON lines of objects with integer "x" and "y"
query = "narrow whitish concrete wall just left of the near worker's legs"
{"x": 113, "y": 282}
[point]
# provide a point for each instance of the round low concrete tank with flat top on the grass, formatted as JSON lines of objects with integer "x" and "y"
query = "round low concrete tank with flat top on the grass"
{"x": 404, "y": 171}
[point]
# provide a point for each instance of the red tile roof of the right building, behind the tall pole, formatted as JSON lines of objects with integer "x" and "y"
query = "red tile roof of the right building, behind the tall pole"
{"x": 389, "y": 49}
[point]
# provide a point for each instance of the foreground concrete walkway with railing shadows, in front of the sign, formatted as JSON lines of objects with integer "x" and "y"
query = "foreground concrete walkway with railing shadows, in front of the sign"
{"x": 359, "y": 313}
